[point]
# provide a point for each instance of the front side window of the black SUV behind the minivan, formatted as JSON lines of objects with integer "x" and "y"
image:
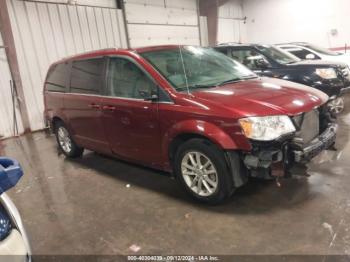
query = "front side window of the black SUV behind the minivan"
{"x": 250, "y": 58}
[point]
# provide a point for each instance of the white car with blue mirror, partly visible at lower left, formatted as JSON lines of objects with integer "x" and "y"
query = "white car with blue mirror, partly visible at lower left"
{"x": 14, "y": 244}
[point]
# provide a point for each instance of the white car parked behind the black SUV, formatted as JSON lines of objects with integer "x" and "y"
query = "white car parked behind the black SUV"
{"x": 307, "y": 51}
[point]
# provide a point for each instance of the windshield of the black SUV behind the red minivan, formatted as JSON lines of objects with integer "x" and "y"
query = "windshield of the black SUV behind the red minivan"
{"x": 277, "y": 54}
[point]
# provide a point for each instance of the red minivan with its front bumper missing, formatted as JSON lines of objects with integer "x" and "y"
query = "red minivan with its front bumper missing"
{"x": 188, "y": 110}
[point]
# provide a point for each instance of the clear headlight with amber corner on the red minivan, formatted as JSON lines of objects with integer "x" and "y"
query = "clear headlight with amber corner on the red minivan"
{"x": 266, "y": 128}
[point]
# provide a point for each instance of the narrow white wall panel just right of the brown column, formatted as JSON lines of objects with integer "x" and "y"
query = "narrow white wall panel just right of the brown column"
{"x": 231, "y": 27}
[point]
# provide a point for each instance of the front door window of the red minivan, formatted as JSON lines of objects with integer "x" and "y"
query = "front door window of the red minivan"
{"x": 125, "y": 79}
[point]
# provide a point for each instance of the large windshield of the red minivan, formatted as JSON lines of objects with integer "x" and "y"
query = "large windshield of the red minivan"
{"x": 192, "y": 67}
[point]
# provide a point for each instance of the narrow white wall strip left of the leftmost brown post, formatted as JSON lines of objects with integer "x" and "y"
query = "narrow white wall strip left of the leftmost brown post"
{"x": 6, "y": 104}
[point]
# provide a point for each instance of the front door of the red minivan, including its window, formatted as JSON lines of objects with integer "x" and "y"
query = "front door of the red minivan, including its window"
{"x": 131, "y": 122}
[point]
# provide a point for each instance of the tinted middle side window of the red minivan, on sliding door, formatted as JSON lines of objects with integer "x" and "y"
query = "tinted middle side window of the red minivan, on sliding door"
{"x": 86, "y": 76}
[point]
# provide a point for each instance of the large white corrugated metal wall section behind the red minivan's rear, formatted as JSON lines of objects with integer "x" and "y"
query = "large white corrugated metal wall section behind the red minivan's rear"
{"x": 46, "y": 32}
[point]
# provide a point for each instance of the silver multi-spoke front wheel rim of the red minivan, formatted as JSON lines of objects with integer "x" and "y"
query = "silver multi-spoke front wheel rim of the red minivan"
{"x": 199, "y": 173}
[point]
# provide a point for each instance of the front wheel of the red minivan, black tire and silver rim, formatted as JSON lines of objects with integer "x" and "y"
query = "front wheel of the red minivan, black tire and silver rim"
{"x": 201, "y": 169}
